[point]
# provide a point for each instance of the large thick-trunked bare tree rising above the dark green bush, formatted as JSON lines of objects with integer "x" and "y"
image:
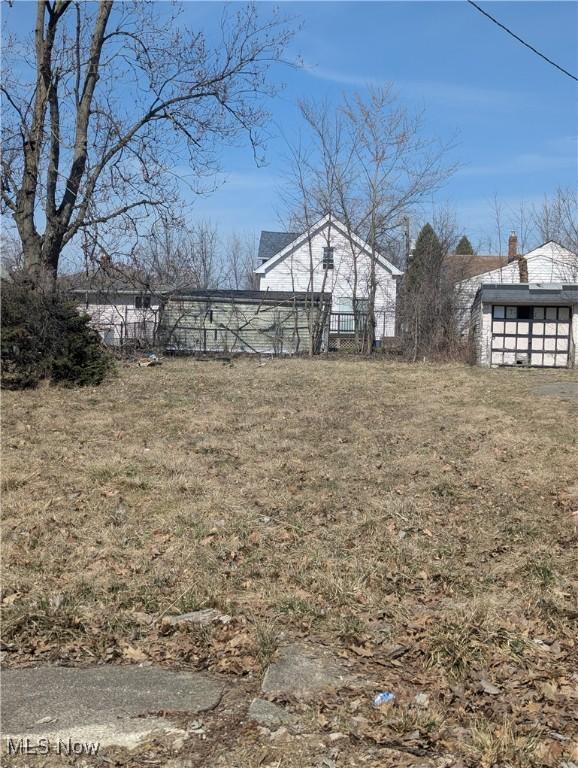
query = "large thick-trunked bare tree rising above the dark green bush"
{"x": 115, "y": 97}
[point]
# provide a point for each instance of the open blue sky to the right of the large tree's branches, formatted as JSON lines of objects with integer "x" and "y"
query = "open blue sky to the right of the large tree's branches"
{"x": 512, "y": 115}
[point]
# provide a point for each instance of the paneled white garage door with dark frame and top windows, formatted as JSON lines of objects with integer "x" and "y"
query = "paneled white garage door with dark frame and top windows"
{"x": 538, "y": 336}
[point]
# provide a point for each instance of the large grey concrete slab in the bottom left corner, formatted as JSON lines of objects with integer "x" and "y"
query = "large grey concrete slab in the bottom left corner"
{"x": 105, "y": 704}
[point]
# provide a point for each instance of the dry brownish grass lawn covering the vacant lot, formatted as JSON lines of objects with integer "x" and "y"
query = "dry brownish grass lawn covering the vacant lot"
{"x": 367, "y": 505}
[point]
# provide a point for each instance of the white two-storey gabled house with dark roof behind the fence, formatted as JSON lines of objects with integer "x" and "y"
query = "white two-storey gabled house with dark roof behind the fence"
{"x": 328, "y": 259}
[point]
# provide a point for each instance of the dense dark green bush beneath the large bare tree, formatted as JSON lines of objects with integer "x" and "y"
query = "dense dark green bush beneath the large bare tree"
{"x": 44, "y": 337}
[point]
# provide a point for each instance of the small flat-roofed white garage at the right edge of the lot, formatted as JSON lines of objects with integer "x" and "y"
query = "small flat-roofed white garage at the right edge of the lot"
{"x": 526, "y": 325}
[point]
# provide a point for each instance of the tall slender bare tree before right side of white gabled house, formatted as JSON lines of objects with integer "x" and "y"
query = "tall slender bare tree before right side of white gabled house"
{"x": 369, "y": 164}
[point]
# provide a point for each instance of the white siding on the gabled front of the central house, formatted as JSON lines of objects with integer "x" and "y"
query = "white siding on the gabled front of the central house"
{"x": 302, "y": 270}
